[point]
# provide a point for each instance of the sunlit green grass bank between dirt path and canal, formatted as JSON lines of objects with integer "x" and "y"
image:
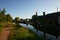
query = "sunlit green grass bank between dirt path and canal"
{"x": 21, "y": 33}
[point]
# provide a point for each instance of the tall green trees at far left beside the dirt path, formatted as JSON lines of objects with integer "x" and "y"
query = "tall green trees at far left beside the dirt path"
{"x": 5, "y": 17}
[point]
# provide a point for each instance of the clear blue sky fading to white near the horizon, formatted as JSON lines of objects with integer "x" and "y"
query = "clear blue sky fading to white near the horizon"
{"x": 27, "y": 8}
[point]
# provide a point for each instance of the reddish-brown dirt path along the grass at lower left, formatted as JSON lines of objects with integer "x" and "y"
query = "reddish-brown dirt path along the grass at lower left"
{"x": 5, "y": 33}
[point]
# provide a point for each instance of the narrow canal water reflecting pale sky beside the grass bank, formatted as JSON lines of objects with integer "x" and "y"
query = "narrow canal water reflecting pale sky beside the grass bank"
{"x": 40, "y": 33}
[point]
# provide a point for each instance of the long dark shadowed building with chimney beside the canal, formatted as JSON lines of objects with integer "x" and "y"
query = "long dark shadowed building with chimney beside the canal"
{"x": 52, "y": 19}
